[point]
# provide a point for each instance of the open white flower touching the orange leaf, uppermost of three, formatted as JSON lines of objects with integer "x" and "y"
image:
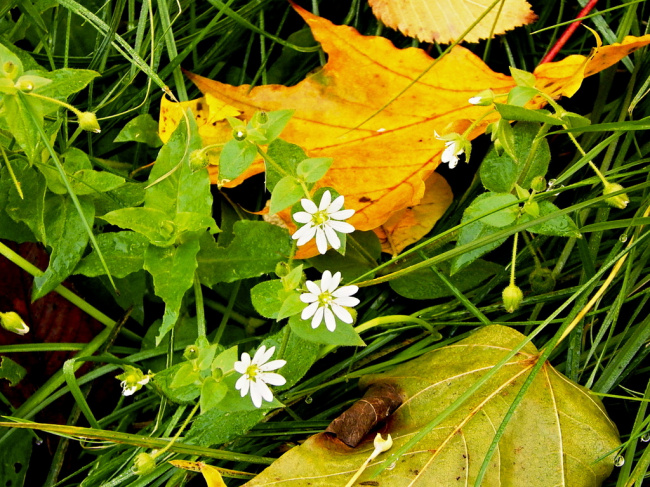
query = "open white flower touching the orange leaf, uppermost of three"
{"x": 323, "y": 221}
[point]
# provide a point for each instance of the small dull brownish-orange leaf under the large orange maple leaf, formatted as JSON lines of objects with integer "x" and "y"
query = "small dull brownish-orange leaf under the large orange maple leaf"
{"x": 409, "y": 225}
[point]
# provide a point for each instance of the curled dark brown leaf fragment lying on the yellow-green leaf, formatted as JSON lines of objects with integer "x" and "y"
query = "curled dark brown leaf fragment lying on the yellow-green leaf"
{"x": 379, "y": 402}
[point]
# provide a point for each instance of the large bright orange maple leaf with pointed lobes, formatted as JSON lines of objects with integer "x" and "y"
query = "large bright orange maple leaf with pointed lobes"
{"x": 380, "y": 167}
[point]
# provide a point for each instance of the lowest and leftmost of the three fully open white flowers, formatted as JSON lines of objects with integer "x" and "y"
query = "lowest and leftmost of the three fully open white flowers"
{"x": 255, "y": 375}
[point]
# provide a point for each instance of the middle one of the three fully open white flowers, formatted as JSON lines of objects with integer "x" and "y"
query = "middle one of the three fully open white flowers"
{"x": 325, "y": 301}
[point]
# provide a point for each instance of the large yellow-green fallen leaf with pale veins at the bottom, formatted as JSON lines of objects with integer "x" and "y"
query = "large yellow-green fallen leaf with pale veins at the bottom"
{"x": 559, "y": 434}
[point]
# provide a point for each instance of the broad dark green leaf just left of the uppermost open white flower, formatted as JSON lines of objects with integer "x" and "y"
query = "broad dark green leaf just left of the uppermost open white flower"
{"x": 255, "y": 250}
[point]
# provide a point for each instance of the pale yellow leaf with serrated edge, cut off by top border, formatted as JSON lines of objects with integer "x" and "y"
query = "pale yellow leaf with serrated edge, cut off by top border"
{"x": 443, "y": 21}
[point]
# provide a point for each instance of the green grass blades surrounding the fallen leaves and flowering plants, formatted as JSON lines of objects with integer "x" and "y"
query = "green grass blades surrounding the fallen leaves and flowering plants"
{"x": 139, "y": 49}
